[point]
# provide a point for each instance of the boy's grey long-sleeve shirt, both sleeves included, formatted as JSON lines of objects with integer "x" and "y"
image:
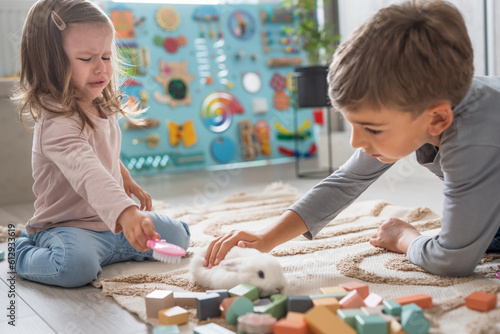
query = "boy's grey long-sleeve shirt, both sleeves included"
{"x": 467, "y": 160}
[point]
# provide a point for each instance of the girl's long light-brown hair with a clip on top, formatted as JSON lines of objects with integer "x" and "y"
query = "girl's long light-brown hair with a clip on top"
{"x": 45, "y": 68}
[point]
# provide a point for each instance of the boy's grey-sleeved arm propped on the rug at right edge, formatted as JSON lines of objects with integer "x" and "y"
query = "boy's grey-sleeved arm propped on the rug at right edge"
{"x": 471, "y": 213}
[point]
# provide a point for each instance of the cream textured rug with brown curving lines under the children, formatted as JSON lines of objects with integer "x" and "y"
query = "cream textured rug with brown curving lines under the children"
{"x": 340, "y": 253}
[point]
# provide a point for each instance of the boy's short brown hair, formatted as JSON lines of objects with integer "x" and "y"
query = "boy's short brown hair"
{"x": 407, "y": 56}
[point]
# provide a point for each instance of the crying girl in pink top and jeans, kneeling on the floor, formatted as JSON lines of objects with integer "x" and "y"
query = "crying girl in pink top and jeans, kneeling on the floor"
{"x": 84, "y": 215}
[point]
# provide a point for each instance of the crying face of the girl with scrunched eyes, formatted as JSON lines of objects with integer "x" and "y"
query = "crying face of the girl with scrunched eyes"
{"x": 88, "y": 48}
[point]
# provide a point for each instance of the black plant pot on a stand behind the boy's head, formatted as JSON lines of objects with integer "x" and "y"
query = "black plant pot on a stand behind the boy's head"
{"x": 312, "y": 86}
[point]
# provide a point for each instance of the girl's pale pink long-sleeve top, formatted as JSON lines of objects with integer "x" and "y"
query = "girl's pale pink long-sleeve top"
{"x": 77, "y": 174}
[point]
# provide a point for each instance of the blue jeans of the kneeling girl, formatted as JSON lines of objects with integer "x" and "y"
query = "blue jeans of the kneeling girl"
{"x": 72, "y": 256}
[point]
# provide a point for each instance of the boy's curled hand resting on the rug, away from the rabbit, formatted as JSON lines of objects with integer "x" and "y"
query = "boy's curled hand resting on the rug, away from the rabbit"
{"x": 394, "y": 235}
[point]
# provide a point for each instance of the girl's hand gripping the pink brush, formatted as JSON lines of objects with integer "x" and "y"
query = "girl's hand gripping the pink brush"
{"x": 137, "y": 227}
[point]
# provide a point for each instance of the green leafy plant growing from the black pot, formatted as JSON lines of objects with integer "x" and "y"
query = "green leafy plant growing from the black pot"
{"x": 317, "y": 40}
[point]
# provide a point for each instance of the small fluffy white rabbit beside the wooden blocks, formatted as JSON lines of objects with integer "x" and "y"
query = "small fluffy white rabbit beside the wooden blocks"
{"x": 241, "y": 265}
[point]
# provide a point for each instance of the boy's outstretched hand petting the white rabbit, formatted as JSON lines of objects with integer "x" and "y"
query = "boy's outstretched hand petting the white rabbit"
{"x": 218, "y": 248}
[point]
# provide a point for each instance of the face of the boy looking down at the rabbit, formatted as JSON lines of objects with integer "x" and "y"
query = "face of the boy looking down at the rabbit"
{"x": 388, "y": 135}
